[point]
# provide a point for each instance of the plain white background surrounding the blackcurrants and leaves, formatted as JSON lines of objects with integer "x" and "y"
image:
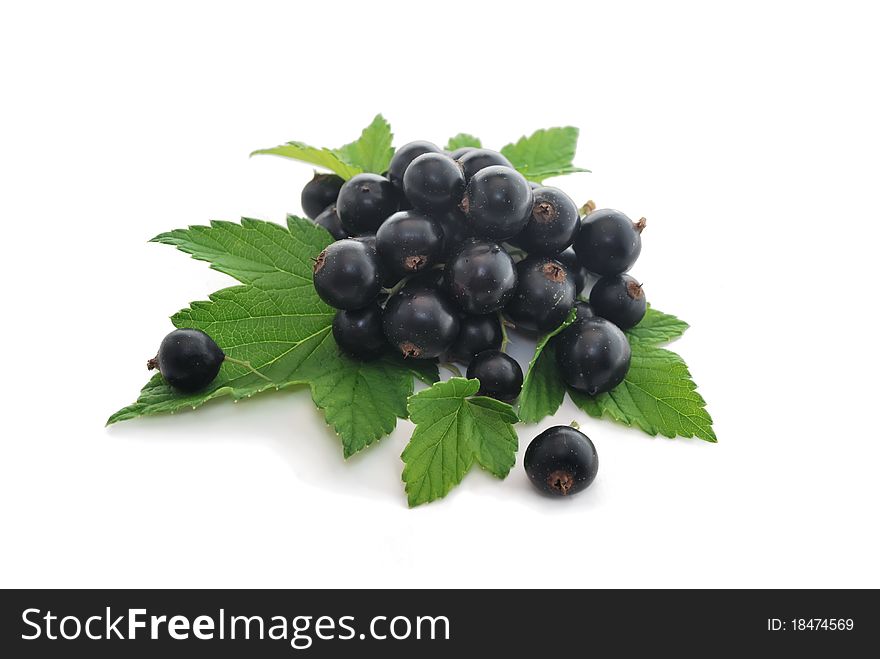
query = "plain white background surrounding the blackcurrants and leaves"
{"x": 746, "y": 133}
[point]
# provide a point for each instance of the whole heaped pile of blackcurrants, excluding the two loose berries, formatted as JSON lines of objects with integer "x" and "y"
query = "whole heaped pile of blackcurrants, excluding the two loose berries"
{"x": 430, "y": 257}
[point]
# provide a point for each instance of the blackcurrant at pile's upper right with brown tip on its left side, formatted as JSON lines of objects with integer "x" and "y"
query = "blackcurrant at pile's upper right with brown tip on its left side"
{"x": 552, "y": 225}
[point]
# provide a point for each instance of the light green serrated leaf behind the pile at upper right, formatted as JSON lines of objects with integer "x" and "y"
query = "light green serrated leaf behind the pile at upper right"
{"x": 545, "y": 153}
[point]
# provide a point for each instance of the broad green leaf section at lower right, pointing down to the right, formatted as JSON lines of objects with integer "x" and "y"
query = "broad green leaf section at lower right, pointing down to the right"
{"x": 658, "y": 396}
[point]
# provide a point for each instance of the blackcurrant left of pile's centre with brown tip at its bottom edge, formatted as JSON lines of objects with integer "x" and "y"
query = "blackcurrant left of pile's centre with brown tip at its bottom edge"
{"x": 409, "y": 242}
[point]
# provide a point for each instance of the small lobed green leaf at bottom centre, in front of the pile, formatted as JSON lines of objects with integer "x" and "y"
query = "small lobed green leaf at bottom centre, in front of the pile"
{"x": 454, "y": 429}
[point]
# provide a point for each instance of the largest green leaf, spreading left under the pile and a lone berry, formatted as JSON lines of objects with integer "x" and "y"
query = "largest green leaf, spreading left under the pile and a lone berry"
{"x": 276, "y": 322}
